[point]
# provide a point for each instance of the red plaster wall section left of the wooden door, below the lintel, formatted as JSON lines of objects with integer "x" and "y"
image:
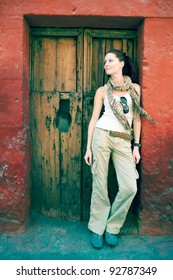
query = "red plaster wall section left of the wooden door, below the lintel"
{"x": 14, "y": 124}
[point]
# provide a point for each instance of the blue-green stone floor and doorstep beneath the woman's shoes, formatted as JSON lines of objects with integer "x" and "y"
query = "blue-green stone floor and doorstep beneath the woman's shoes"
{"x": 52, "y": 239}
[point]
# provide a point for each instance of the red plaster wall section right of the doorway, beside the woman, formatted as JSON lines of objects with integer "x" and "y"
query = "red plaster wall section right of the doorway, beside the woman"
{"x": 157, "y": 141}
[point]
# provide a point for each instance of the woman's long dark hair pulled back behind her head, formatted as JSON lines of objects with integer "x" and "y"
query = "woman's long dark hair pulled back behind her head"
{"x": 128, "y": 68}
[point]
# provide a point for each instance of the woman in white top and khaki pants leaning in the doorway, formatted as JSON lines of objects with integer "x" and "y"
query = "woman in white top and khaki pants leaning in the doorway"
{"x": 111, "y": 135}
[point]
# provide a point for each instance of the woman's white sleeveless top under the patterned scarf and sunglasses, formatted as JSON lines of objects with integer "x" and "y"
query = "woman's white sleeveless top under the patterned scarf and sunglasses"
{"x": 109, "y": 121}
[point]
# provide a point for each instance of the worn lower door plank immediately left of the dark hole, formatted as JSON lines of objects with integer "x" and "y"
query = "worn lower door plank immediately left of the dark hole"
{"x": 50, "y": 156}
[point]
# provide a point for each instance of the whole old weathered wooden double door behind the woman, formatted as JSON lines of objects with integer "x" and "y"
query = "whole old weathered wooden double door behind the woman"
{"x": 66, "y": 69}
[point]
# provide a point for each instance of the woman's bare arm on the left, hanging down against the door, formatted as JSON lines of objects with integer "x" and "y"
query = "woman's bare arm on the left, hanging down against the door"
{"x": 98, "y": 102}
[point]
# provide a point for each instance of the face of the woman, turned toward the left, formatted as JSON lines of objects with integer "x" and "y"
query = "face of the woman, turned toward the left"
{"x": 112, "y": 65}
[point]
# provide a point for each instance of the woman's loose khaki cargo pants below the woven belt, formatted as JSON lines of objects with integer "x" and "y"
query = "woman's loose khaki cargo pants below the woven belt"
{"x": 103, "y": 216}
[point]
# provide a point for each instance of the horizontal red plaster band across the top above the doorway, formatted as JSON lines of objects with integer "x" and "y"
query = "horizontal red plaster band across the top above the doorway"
{"x": 144, "y": 8}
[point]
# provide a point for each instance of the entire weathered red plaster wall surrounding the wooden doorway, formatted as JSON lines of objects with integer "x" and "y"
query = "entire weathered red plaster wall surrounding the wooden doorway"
{"x": 155, "y": 57}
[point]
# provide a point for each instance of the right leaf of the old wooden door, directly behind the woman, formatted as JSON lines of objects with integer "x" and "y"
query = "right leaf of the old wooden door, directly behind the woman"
{"x": 96, "y": 44}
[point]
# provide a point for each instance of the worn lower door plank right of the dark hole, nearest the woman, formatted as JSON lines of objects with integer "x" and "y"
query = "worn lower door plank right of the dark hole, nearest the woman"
{"x": 71, "y": 163}
